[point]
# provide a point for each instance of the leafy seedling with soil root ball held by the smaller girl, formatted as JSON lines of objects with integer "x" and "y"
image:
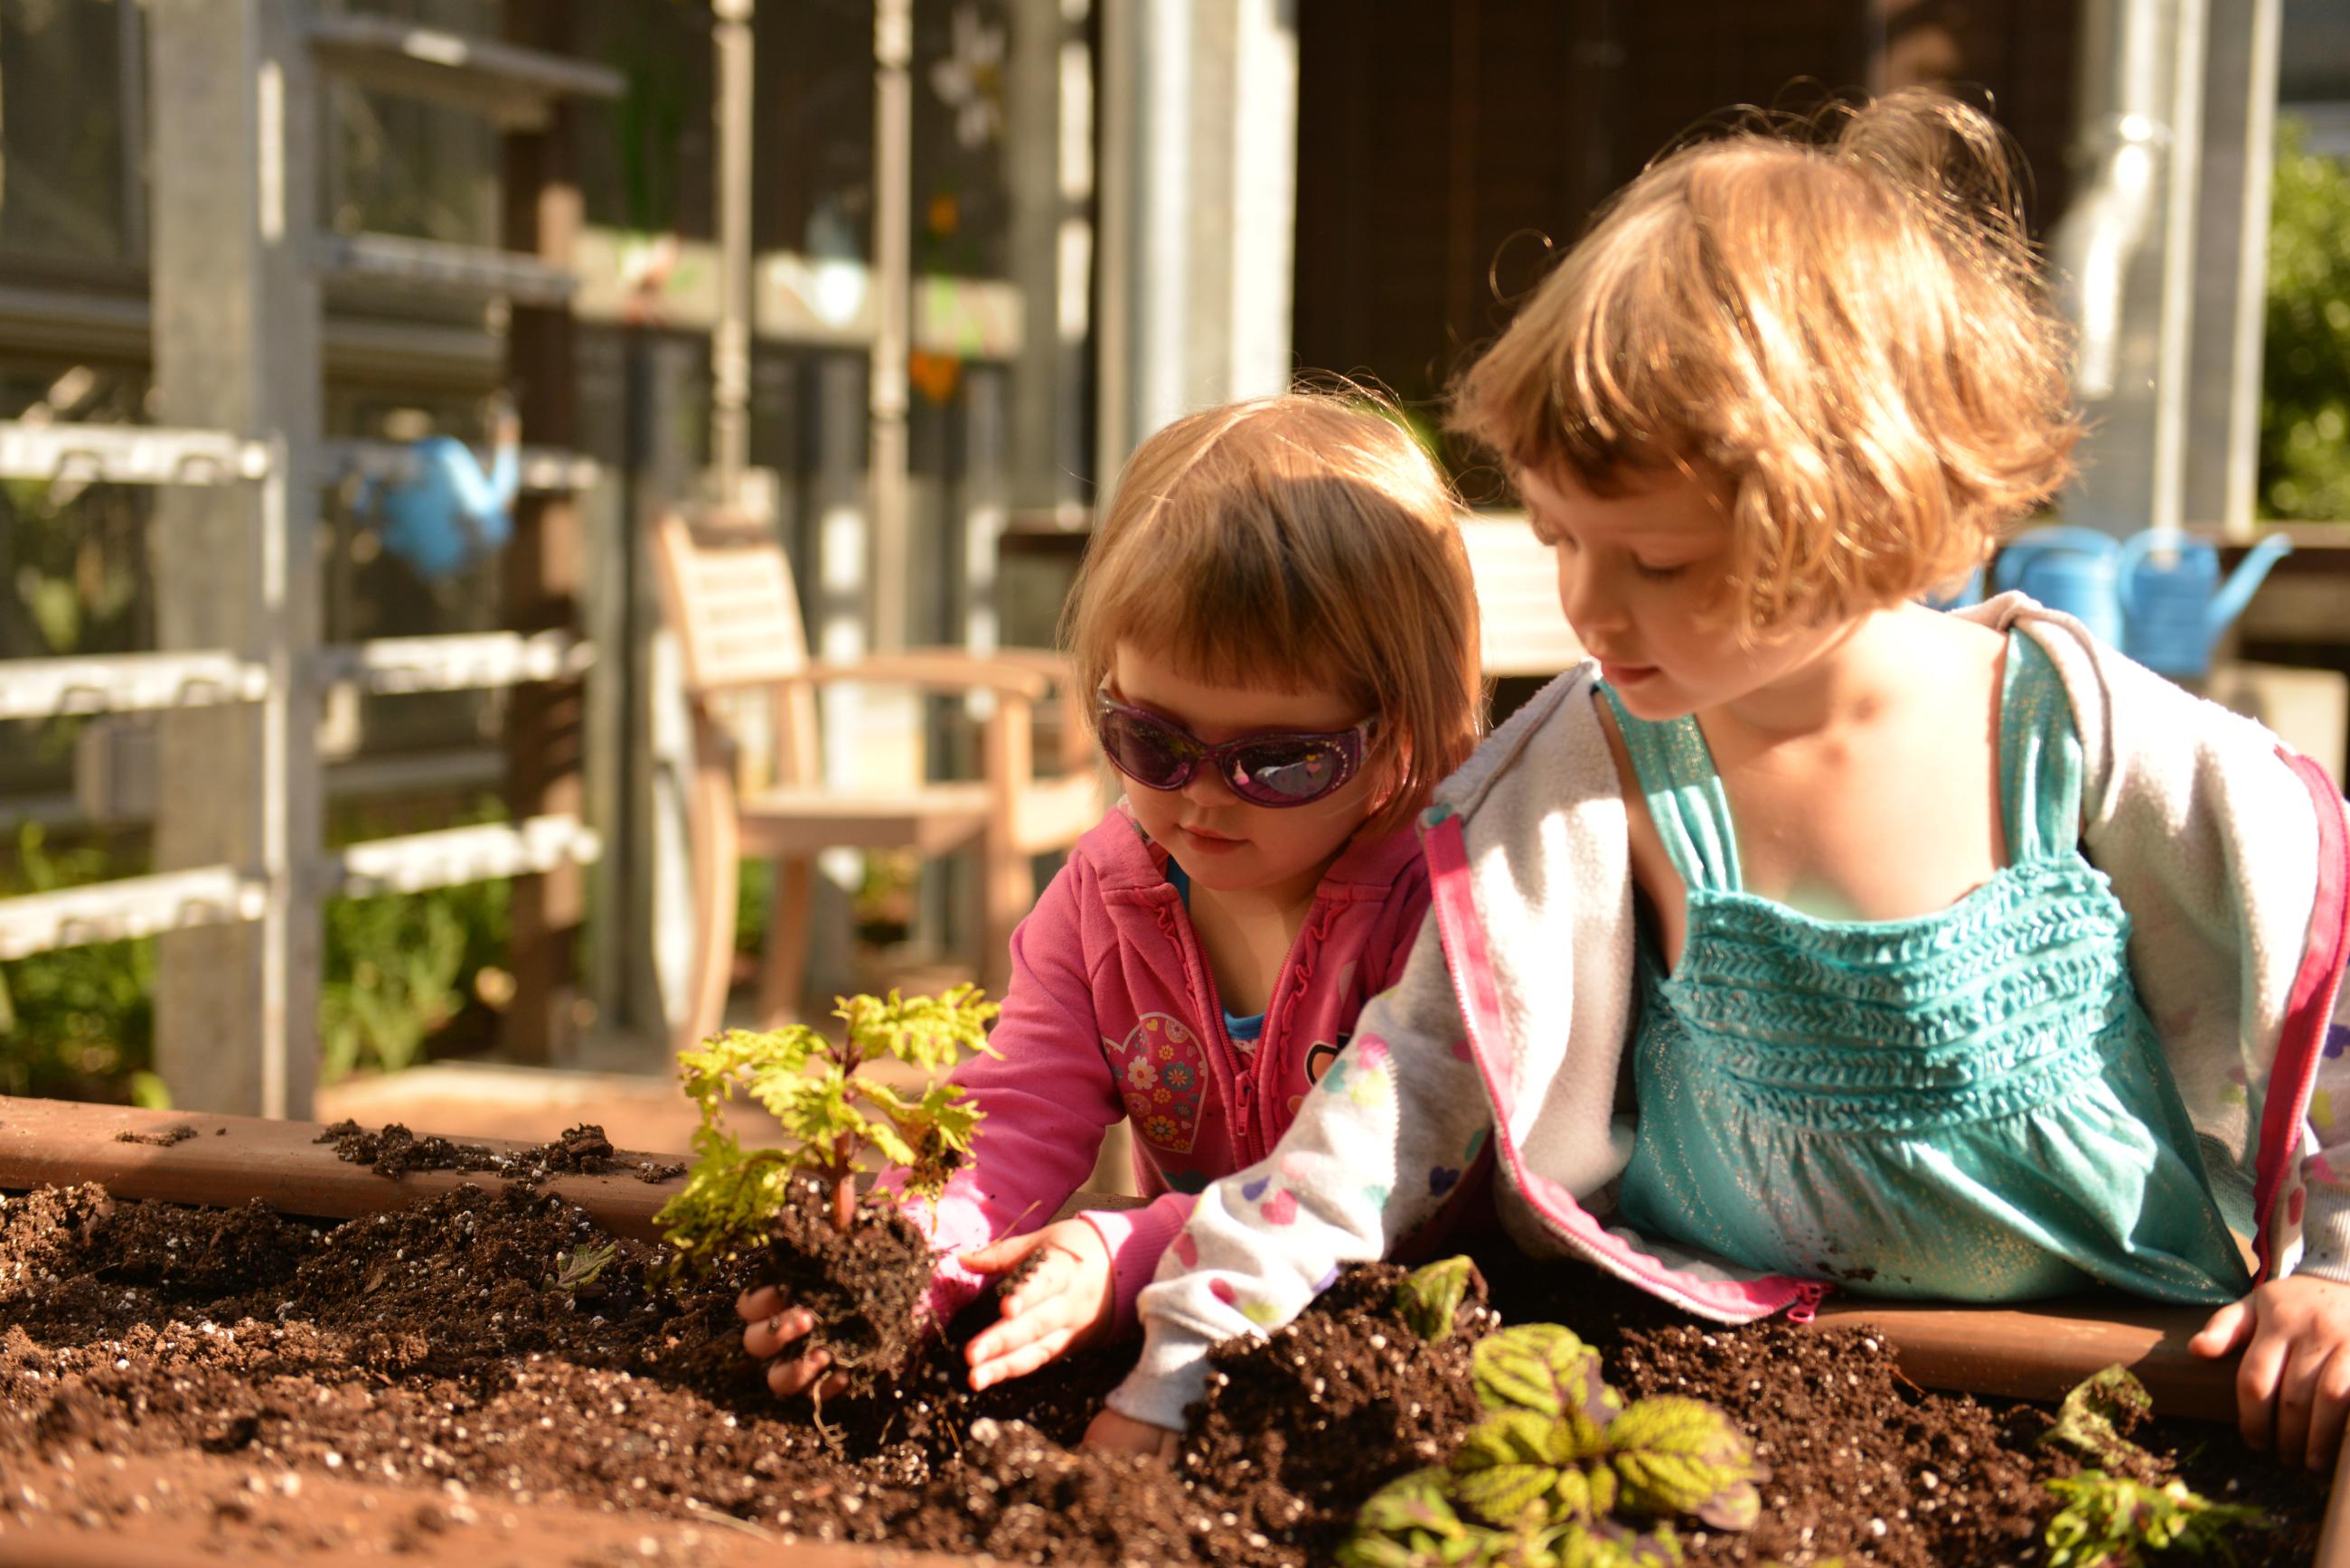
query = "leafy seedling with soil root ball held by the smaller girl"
{"x": 859, "y": 1268}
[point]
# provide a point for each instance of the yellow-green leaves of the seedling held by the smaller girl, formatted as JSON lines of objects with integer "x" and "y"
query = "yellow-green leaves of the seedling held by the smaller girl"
{"x": 838, "y": 1120}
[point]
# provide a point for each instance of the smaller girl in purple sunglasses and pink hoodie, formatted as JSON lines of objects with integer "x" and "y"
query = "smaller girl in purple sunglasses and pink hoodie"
{"x": 1282, "y": 631}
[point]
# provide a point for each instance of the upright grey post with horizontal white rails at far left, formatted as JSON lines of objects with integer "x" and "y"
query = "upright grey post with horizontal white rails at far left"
{"x": 239, "y": 262}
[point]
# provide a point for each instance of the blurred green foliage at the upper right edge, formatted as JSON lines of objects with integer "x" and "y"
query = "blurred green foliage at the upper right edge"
{"x": 2307, "y": 363}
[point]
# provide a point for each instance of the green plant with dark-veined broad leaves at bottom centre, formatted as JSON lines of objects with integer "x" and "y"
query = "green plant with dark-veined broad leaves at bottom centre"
{"x": 1562, "y": 1473}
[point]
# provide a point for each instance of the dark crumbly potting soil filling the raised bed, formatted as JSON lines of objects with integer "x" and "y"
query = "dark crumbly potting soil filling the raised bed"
{"x": 438, "y": 1353}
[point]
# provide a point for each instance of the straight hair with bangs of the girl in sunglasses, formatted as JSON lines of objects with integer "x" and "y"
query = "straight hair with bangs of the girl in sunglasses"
{"x": 1287, "y": 544}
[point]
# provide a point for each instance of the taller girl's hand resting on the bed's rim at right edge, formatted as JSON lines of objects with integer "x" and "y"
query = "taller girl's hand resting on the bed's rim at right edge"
{"x": 2292, "y": 1388}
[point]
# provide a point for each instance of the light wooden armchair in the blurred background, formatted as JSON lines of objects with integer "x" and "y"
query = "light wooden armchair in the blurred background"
{"x": 730, "y": 594}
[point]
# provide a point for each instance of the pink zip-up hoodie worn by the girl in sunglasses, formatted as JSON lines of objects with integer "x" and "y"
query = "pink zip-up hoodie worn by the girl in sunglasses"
{"x": 1113, "y": 1014}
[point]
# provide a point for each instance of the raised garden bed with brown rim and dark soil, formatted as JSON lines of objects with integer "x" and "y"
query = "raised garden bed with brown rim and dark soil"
{"x": 438, "y": 1376}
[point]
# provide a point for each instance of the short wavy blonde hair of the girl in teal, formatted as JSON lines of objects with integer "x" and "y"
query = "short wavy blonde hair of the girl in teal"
{"x": 1837, "y": 321}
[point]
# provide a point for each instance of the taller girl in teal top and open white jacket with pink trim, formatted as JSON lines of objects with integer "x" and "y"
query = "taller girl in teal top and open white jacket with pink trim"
{"x": 1942, "y": 956}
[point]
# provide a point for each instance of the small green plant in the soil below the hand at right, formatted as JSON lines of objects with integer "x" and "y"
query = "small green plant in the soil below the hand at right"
{"x": 2114, "y": 1520}
